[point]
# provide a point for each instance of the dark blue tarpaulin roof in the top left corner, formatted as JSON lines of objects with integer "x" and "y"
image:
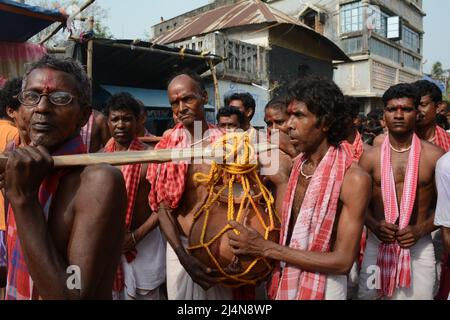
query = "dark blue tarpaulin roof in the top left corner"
{"x": 19, "y": 22}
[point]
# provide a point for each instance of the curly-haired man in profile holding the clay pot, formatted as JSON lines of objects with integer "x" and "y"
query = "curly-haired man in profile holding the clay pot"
{"x": 323, "y": 216}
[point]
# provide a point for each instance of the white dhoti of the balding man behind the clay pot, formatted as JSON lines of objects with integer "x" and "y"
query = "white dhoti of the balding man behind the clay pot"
{"x": 180, "y": 285}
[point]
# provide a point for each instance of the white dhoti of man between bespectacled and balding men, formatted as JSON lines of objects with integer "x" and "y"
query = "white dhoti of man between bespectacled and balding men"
{"x": 145, "y": 274}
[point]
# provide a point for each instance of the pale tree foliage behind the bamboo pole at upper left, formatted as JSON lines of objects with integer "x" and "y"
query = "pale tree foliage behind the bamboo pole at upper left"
{"x": 95, "y": 10}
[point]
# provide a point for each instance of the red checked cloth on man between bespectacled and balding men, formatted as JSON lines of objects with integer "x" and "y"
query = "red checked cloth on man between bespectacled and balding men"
{"x": 131, "y": 174}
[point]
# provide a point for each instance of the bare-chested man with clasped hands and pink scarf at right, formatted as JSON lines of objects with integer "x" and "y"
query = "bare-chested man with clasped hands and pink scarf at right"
{"x": 399, "y": 262}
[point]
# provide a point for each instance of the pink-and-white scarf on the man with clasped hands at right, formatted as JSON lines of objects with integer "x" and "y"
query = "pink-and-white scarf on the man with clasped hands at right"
{"x": 393, "y": 261}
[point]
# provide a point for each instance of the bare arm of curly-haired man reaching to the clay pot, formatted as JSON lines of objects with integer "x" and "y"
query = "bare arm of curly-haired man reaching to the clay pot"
{"x": 349, "y": 230}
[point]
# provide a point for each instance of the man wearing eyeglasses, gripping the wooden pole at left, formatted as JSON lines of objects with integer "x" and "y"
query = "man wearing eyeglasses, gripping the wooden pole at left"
{"x": 65, "y": 226}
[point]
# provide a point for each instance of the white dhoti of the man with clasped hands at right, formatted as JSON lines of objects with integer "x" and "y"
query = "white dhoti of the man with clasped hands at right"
{"x": 423, "y": 272}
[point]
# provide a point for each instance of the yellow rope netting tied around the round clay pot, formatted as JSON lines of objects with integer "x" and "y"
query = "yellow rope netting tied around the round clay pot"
{"x": 240, "y": 167}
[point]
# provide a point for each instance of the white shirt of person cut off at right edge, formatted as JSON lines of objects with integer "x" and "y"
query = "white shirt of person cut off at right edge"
{"x": 442, "y": 218}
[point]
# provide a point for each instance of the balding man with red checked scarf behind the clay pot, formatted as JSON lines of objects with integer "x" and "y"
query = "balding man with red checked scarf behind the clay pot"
{"x": 178, "y": 198}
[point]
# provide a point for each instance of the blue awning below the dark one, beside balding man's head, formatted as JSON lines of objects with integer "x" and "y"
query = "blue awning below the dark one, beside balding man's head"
{"x": 149, "y": 97}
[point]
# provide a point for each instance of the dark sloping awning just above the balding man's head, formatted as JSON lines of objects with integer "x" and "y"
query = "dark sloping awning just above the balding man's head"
{"x": 141, "y": 65}
